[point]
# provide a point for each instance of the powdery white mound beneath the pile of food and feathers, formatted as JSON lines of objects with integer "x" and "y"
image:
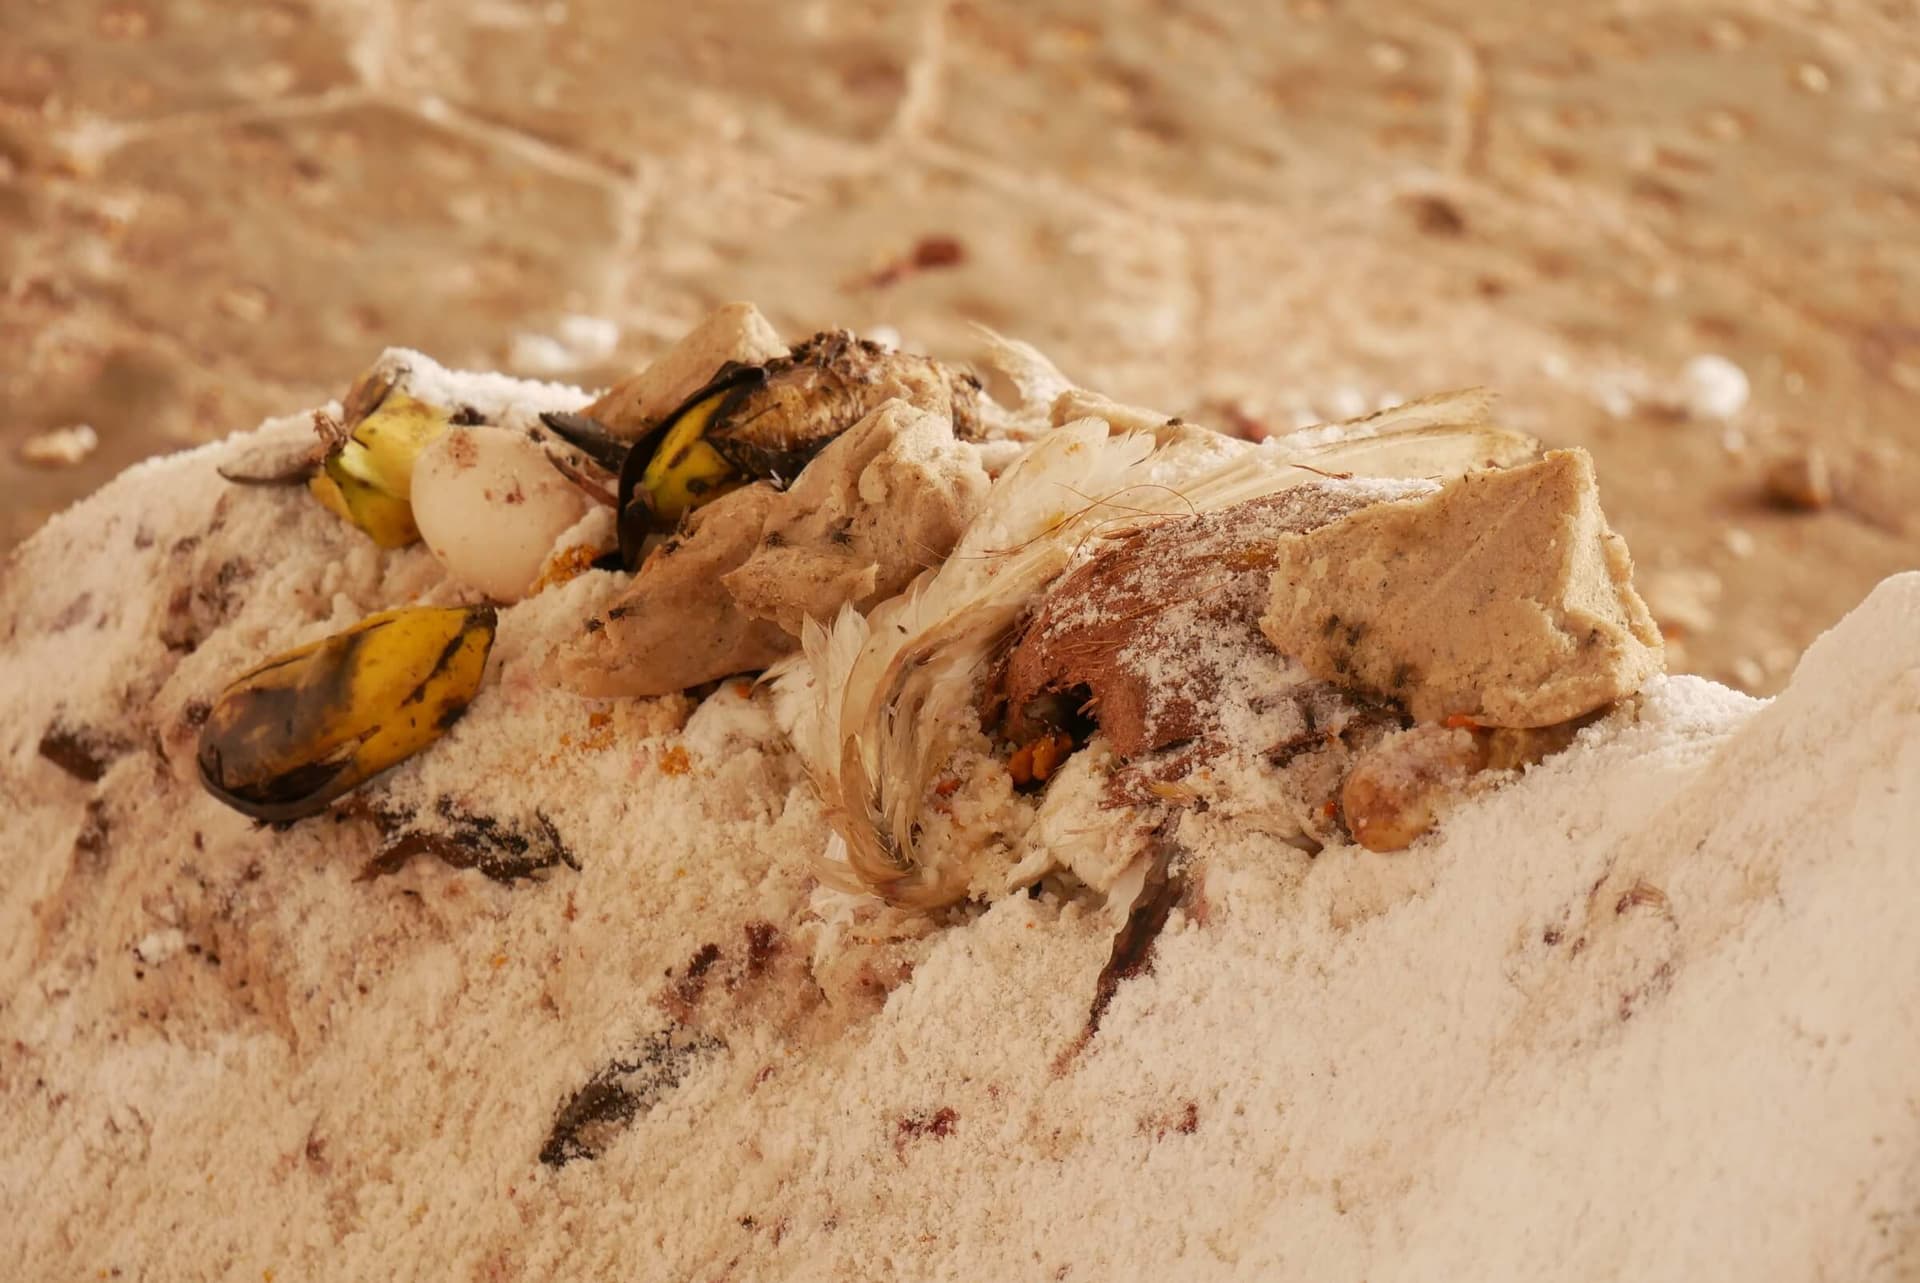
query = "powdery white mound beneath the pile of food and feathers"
{"x": 1650, "y": 1011}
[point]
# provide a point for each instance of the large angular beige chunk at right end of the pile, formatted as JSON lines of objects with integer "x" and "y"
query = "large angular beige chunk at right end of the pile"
{"x": 1502, "y": 598}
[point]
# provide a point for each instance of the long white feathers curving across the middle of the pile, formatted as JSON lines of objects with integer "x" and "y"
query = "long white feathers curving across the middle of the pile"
{"x": 878, "y": 706}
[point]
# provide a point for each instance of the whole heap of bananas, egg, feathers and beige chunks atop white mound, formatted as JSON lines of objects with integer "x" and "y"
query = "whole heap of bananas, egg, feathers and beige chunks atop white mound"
{"x": 1005, "y": 608}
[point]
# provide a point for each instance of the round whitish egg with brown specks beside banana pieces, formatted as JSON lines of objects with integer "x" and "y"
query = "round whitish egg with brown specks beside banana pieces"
{"x": 491, "y": 506}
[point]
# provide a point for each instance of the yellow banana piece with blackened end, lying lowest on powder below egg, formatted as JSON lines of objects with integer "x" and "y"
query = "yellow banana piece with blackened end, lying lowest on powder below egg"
{"x": 302, "y": 729}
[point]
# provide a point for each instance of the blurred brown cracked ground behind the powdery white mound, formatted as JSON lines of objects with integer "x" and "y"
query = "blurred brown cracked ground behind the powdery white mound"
{"x": 1681, "y": 235}
